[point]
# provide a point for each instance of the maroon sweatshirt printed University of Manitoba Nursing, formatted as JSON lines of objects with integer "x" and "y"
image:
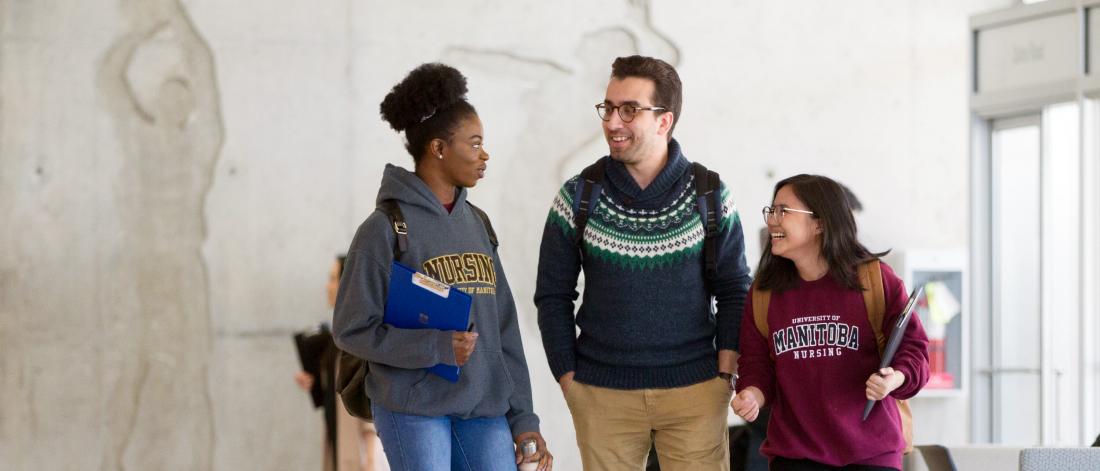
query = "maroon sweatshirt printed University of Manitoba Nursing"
{"x": 824, "y": 352}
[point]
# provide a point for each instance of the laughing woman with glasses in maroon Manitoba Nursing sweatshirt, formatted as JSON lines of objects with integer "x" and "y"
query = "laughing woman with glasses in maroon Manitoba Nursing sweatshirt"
{"x": 815, "y": 355}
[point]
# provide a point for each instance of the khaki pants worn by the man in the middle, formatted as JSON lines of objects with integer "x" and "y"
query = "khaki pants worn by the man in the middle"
{"x": 615, "y": 428}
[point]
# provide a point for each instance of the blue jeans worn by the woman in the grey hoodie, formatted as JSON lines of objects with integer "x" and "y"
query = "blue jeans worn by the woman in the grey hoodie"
{"x": 415, "y": 443}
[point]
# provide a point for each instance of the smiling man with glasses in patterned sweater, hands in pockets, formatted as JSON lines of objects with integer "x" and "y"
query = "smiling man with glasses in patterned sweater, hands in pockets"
{"x": 654, "y": 360}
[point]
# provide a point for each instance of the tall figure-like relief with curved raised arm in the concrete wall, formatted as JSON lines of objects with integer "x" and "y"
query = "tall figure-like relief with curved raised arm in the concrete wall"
{"x": 159, "y": 83}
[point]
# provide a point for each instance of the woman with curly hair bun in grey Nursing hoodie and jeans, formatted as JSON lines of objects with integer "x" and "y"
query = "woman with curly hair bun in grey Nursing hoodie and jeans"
{"x": 425, "y": 422}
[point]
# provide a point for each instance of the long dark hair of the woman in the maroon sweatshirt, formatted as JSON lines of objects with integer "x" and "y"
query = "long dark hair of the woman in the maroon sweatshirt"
{"x": 841, "y": 248}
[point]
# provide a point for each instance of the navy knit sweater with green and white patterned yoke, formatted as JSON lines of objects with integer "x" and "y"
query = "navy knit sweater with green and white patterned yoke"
{"x": 646, "y": 319}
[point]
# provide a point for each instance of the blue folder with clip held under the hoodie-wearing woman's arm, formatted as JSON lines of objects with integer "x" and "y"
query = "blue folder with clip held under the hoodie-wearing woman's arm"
{"x": 420, "y": 302}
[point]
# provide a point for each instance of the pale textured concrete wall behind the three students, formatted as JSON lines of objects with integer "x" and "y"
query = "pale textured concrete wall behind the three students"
{"x": 175, "y": 179}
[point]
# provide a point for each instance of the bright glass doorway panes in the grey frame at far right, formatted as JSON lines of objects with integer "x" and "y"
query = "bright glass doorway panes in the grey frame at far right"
{"x": 1037, "y": 247}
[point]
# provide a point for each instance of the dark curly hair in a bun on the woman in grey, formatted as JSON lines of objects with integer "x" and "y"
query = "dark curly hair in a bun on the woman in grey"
{"x": 428, "y": 104}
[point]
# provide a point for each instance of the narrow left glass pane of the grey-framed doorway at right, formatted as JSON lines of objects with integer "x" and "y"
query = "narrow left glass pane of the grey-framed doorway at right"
{"x": 1017, "y": 244}
